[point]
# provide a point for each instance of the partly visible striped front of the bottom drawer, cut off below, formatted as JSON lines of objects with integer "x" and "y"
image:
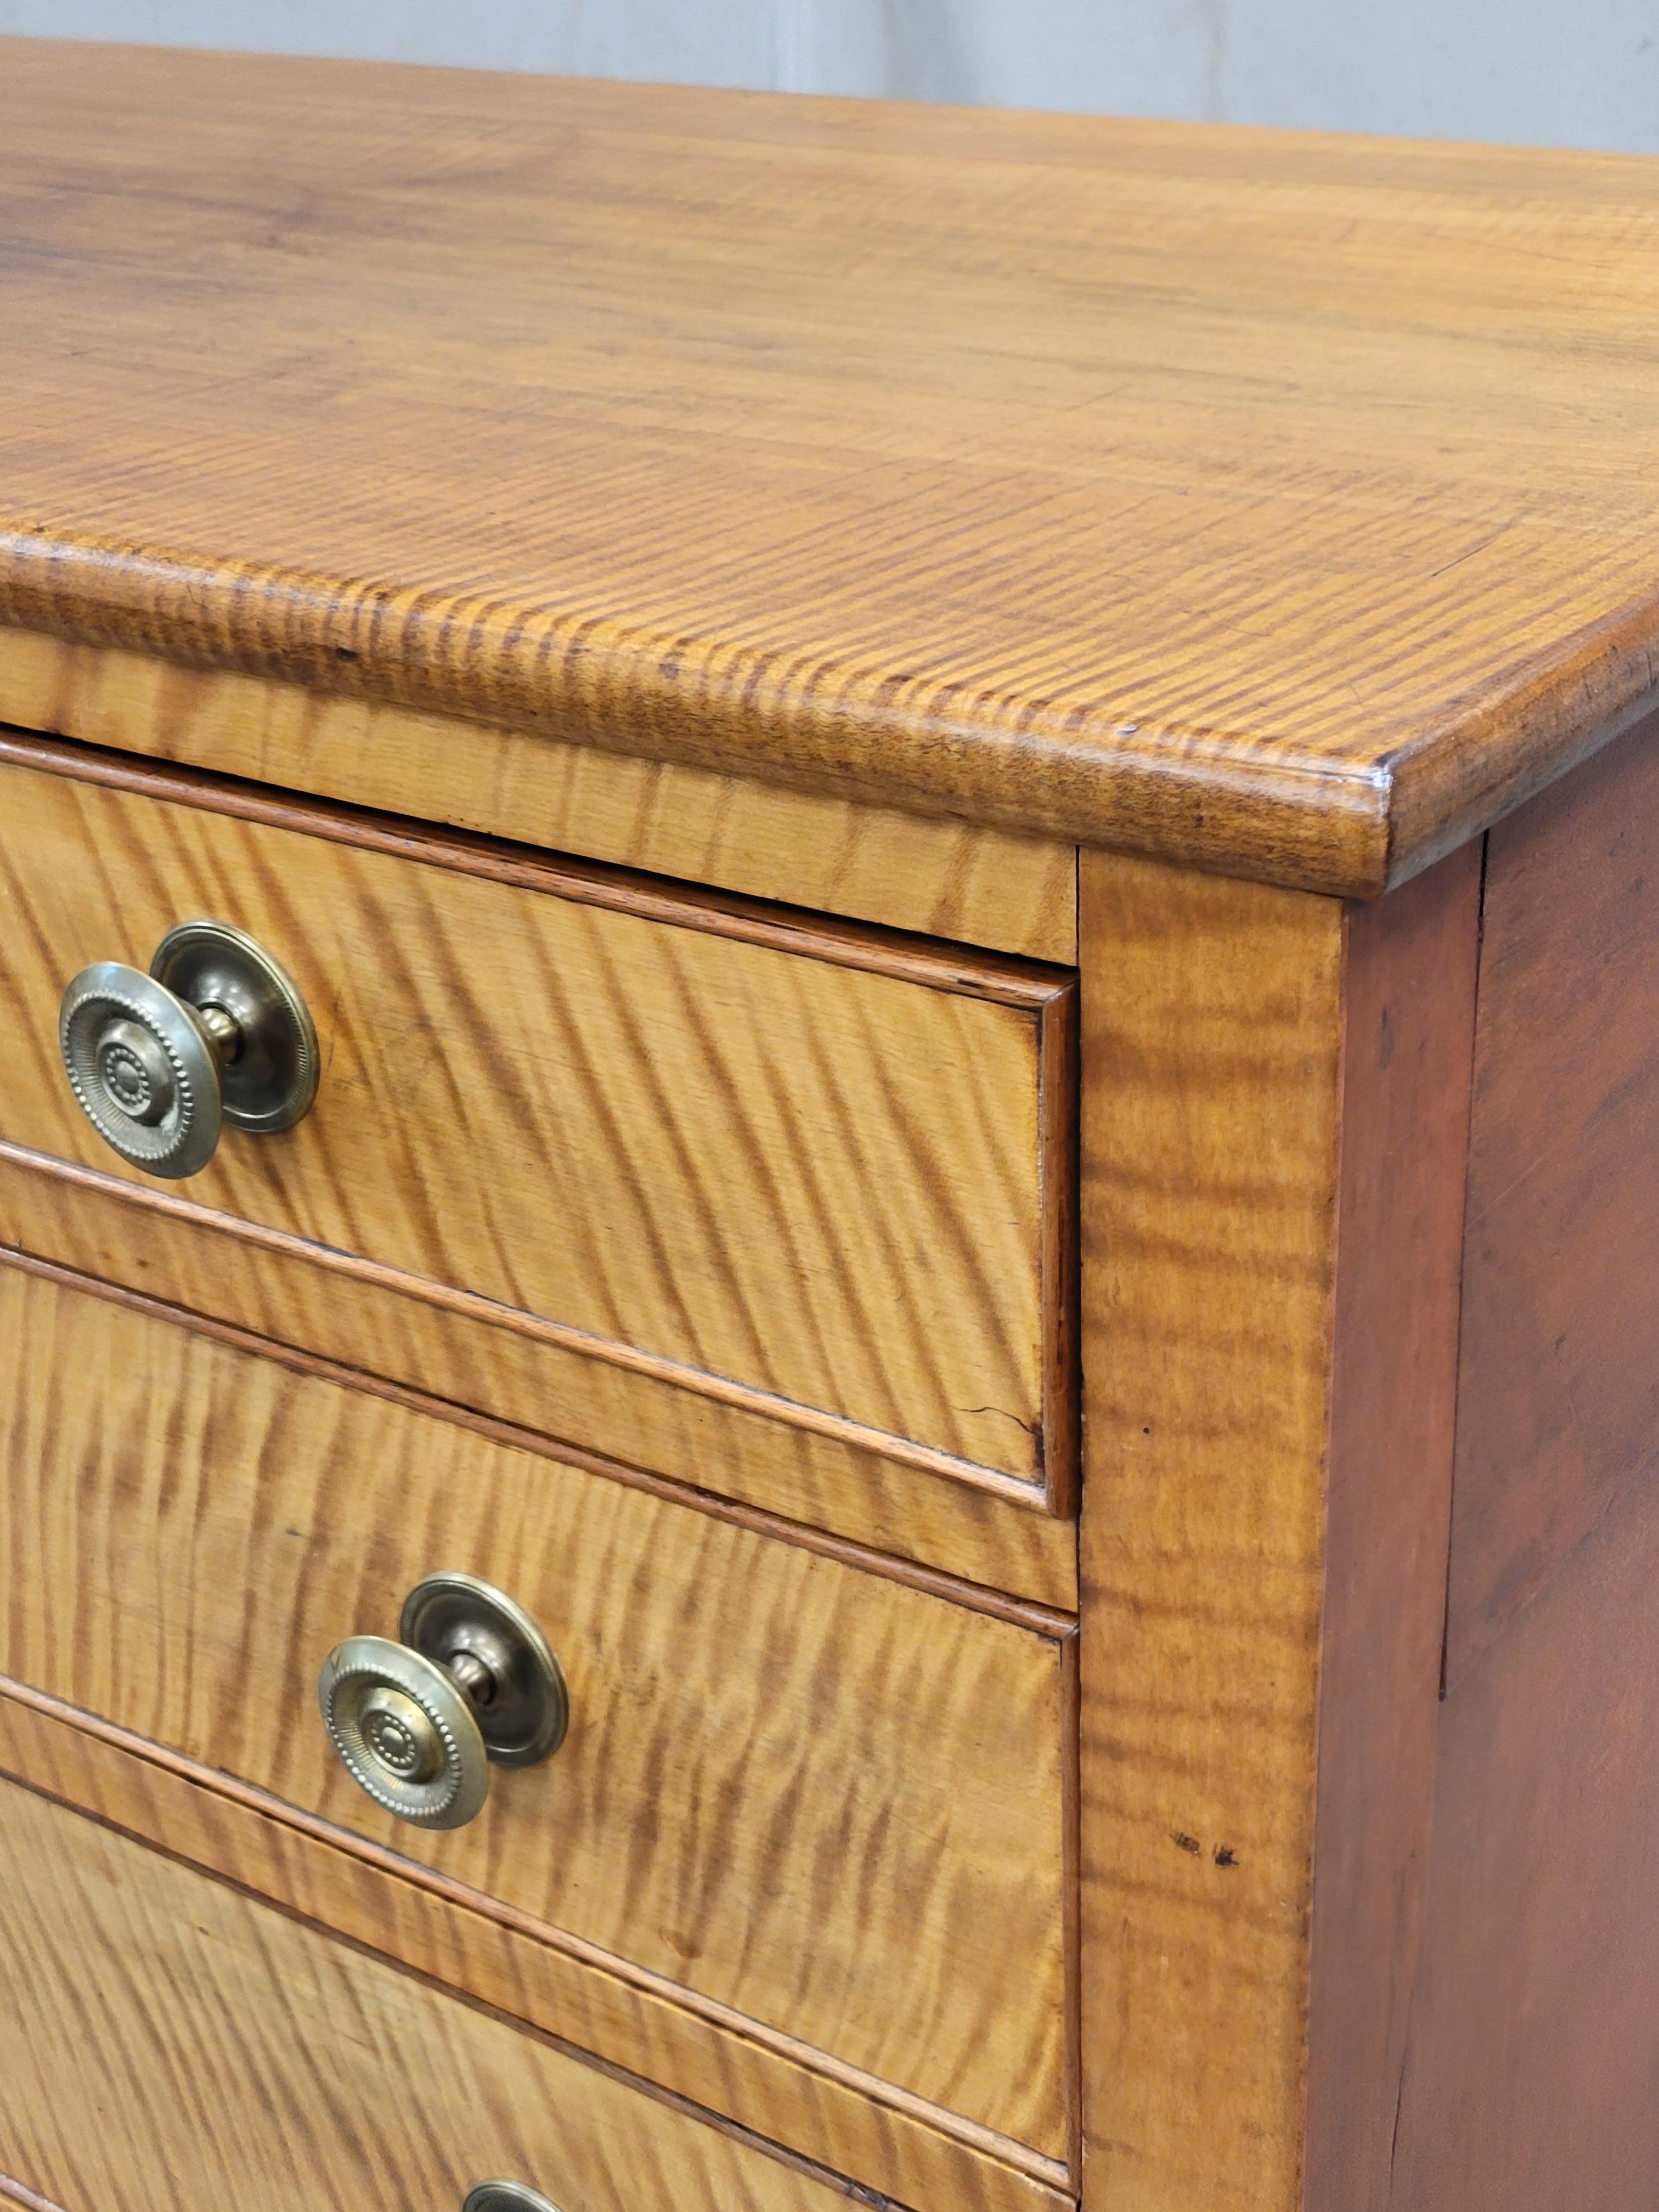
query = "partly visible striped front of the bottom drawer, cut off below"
{"x": 171, "y": 2047}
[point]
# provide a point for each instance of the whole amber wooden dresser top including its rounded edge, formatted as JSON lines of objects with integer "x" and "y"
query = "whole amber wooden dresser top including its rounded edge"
{"x": 1284, "y": 505}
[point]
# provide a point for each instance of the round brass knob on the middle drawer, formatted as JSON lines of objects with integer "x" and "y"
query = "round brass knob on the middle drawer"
{"x": 470, "y": 1682}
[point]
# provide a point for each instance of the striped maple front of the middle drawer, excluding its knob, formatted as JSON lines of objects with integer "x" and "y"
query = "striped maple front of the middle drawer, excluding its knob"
{"x": 797, "y": 1791}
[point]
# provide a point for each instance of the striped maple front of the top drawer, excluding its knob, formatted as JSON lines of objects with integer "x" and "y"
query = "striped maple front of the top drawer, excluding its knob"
{"x": 822, "y": 1167}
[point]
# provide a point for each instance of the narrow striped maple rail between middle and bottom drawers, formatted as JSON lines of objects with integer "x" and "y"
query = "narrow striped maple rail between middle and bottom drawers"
{"x": 640, "y": 2023}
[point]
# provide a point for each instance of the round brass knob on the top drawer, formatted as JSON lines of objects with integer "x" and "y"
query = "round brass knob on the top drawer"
{"x": 213, "y": 1034}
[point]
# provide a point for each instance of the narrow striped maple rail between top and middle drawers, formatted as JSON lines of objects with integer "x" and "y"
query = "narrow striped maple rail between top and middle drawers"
{"x": 470, "y": 1353}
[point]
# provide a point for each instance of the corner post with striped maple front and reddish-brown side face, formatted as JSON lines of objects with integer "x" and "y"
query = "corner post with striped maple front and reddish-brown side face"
{"x": 1275, "y": 1127}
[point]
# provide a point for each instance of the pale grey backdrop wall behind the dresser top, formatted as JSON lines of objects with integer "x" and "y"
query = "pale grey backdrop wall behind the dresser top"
{"x": 1534, "y": 72}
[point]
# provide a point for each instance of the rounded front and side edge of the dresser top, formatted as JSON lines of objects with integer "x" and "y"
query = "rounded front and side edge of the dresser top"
{"x": 1202, "y": 800}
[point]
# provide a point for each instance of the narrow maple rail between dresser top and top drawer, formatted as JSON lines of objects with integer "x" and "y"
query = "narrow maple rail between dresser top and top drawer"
{"x": 948, "y": 879}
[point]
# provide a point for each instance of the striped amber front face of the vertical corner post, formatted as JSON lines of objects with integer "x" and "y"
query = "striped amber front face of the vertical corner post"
{"x": 1211, "y": 1129}
